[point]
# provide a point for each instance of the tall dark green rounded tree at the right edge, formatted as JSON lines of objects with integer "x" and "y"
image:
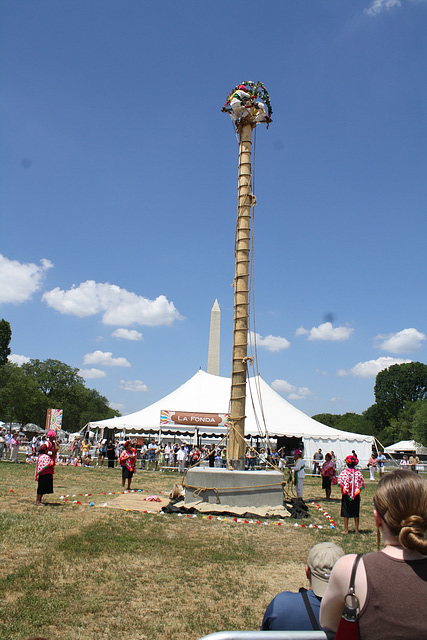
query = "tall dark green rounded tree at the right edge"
{"x": 398, "y": 386}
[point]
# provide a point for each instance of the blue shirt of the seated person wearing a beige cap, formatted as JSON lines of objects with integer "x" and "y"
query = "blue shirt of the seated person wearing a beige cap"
{"x": 287, "y": 612}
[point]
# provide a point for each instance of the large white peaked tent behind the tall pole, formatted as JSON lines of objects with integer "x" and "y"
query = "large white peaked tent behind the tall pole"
{"x": 265, "y": 410}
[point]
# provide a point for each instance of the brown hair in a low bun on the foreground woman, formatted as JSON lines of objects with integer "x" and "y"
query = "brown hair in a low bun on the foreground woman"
{"x": 401, "y": 501}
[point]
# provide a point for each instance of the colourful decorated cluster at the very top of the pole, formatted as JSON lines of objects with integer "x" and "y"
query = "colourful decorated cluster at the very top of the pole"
{"x": 249, "y": 103}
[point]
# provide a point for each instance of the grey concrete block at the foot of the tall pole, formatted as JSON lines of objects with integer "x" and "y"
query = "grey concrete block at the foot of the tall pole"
{"x": 235, "y": 488}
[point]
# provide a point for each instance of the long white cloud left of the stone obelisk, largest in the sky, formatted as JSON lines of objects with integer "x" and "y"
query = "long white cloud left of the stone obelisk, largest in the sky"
{"x": 118, "y": 306}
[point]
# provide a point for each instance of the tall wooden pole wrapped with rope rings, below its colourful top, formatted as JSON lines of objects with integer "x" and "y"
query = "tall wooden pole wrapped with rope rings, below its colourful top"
{"x": 236, "y": 444}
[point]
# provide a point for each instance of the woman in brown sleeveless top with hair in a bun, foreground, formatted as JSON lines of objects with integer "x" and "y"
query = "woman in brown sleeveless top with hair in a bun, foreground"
{"x": 391, "y": 584}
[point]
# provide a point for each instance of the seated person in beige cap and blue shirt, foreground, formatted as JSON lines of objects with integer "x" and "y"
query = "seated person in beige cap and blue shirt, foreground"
{"x": 289, "y": 611}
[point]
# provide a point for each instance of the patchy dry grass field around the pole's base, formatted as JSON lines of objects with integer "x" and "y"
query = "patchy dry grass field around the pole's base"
{"x": 76, "y": 571}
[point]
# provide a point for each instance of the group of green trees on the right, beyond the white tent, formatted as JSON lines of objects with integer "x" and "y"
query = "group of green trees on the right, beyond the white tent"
{"x": 399, "y": 411}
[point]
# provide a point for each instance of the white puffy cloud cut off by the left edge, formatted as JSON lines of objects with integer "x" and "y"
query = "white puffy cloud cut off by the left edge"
{"x": 18, "y": 281}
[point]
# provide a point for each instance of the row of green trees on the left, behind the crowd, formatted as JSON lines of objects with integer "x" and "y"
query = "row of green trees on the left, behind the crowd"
{"x": 27, "y": 391}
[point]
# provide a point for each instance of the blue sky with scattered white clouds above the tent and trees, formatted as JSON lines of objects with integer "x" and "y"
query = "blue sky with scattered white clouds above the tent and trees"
{"x": 119, "y": 186}
